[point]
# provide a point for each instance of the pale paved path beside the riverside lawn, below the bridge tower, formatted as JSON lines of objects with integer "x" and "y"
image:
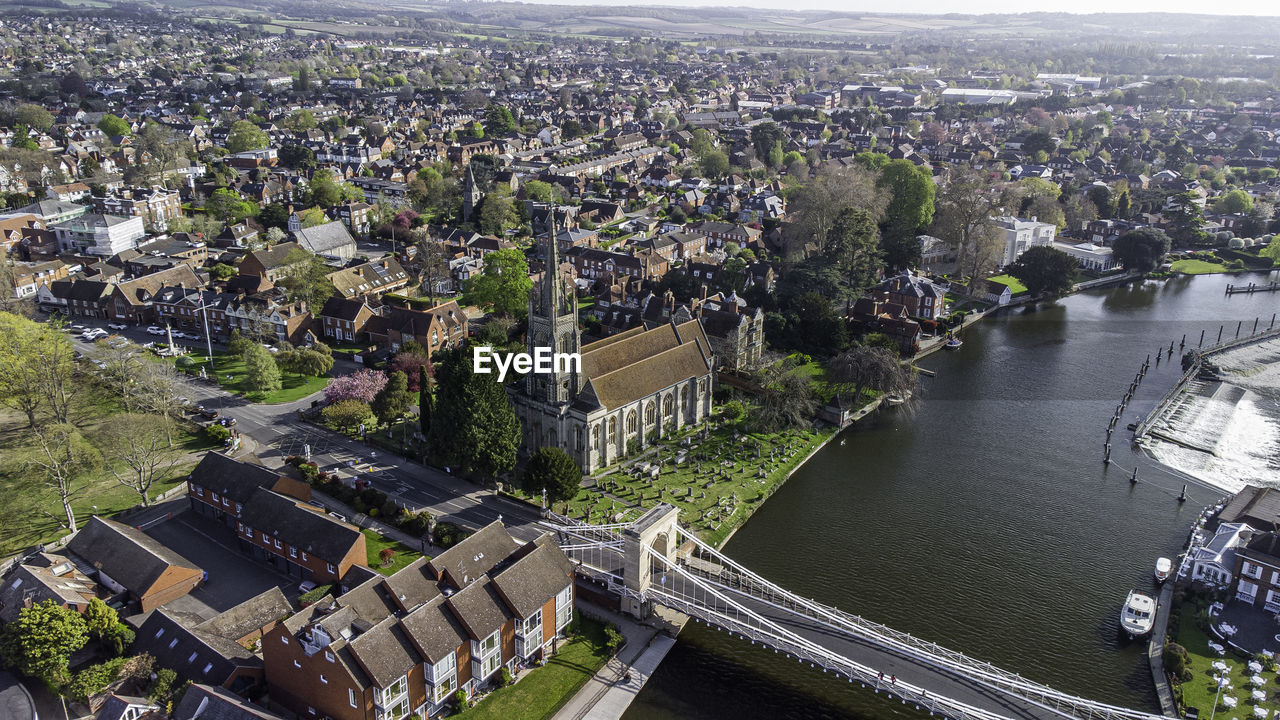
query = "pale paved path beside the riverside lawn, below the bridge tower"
{"x": 609, "y": 694}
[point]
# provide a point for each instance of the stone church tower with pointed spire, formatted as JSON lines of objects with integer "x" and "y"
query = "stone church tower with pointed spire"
{"x": 554, "y": 323}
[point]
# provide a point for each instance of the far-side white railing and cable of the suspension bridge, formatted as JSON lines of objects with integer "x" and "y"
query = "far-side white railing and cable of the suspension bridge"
{"x": 739, "y": 578}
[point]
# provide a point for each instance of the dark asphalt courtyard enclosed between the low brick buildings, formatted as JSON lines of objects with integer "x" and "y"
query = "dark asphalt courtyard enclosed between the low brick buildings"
{"x": 234, "y": 578}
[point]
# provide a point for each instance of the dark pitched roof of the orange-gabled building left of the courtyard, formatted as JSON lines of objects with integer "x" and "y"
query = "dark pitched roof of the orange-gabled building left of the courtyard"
{"x": 130, "y": 557}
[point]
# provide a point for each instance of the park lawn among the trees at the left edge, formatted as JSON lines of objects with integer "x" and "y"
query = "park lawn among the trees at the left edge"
{"x": 31, "y": 512}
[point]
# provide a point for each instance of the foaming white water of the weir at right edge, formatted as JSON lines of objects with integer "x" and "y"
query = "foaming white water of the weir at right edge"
{"x": 1238, "y": 421}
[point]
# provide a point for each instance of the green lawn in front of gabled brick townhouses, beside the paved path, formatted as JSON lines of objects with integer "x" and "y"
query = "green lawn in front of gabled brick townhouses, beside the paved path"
{"x": 546, "y": 690}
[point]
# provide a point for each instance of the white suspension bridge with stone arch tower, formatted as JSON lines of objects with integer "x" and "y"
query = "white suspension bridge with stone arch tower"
{"x": 655, "y": 562}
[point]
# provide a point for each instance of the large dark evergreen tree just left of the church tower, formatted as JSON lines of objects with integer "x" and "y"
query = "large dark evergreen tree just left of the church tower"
{"x": 473, "y": 425}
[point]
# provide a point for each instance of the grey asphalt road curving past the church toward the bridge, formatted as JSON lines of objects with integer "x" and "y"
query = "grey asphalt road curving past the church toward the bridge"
{"x": 277, "y": 432}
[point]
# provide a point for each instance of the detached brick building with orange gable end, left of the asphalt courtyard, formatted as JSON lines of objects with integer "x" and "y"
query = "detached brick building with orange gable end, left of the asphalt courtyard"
{"x": 130, "y": 562}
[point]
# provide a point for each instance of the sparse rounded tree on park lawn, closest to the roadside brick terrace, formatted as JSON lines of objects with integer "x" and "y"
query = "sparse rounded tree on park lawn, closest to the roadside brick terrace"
{"x": 139, "y": 452}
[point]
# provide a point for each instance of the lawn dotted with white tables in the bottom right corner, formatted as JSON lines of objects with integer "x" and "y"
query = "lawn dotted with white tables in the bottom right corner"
{"x": 1201, "y": 690}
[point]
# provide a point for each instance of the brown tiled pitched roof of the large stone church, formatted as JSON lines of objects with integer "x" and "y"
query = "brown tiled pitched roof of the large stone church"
{"x": 627, "y": 367}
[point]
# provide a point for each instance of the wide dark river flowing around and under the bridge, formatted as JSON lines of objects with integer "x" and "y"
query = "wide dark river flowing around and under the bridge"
{"x": 986, "y": 521}
